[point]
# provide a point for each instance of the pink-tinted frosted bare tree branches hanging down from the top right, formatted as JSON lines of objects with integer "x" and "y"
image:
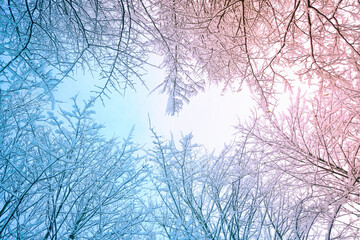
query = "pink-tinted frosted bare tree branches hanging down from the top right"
{"x": 269, "y": 45}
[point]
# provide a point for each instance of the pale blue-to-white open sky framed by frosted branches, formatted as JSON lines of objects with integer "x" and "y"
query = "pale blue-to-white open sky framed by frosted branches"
{"x": 210, "y": 116}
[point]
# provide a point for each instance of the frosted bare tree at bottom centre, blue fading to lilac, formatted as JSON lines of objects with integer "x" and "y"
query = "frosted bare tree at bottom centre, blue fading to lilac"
{"x": 230, "y": 196}
